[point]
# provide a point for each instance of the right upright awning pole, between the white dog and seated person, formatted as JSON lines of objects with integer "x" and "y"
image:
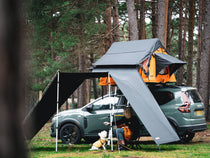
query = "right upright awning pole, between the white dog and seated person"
{"x": 111, "y": 113}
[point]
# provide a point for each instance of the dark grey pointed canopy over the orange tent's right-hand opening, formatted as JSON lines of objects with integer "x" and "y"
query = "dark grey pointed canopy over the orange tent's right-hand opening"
{"x": 163, "y": 60}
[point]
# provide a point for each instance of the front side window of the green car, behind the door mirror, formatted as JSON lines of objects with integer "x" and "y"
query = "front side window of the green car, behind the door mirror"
{"x": 103, "y": 104}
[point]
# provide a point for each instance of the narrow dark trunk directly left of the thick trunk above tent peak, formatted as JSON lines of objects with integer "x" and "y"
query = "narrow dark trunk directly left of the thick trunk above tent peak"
{"x": 154, "y": 19}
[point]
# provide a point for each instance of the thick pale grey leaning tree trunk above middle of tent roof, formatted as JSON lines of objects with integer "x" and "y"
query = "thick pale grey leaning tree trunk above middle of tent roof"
{"x": 132, "y": 22}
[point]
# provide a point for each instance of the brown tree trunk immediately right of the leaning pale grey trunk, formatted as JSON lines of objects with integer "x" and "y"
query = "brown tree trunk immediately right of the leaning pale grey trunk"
{"x": 142, "y": 32}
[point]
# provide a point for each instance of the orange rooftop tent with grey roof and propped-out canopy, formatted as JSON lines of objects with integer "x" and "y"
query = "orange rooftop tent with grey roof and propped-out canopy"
{"x": 153, "y": 61}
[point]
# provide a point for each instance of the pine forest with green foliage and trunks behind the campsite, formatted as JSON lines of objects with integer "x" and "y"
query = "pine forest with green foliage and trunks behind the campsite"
{"x": 71, "y": 35}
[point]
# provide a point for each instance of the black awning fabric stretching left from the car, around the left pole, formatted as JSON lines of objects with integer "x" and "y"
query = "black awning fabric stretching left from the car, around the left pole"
{"x": 46, "y": 107}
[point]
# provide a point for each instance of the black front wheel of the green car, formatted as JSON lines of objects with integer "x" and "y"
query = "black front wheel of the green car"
{"x": 70, "y": 133}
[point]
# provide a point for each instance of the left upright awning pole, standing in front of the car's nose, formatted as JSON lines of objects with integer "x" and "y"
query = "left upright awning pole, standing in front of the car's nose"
{"x": 58, "y": 78}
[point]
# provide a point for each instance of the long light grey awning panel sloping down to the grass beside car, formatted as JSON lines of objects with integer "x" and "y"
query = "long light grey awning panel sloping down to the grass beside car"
{"x": 144, "y": 104}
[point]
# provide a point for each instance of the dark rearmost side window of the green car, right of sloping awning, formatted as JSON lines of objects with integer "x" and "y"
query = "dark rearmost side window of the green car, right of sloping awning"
{"x": 163, "y": 97}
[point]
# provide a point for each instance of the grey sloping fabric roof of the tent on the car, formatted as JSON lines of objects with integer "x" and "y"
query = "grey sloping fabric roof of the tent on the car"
{"x": 129, "y": 53}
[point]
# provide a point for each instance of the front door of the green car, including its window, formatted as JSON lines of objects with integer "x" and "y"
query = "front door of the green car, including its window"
{"x": 99, "y": 113}
